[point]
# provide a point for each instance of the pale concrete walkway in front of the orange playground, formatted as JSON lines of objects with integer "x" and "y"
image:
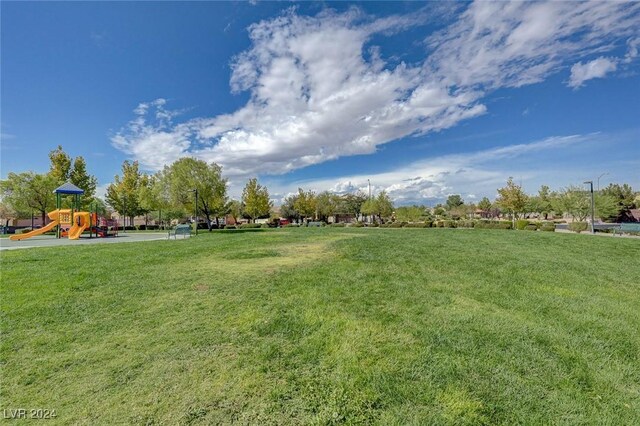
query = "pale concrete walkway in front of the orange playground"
{"x": 50, "y": 241}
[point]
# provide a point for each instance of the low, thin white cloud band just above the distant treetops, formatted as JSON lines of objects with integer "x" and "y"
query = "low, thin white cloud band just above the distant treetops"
{"x": 471, "y": 174}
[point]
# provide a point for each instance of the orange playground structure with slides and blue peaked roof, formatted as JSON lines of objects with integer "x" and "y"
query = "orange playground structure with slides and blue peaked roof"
{"x": 72, "y": 223}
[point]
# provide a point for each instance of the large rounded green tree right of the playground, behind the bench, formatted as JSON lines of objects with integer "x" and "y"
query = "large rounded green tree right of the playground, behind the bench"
{"x": 187, "y": 174}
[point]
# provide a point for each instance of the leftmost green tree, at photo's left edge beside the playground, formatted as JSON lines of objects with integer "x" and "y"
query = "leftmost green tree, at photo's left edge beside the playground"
{"x": 26, "y": 192}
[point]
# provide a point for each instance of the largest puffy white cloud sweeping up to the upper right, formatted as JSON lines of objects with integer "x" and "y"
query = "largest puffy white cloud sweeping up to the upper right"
{"x": 319, "y": 89}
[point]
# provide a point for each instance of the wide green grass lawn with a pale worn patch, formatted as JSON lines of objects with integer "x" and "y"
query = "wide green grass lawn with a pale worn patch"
{"x": 323, "y": 326}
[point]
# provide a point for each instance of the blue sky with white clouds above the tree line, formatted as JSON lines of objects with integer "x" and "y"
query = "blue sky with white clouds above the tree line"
{"x": 422, "y": 99}
